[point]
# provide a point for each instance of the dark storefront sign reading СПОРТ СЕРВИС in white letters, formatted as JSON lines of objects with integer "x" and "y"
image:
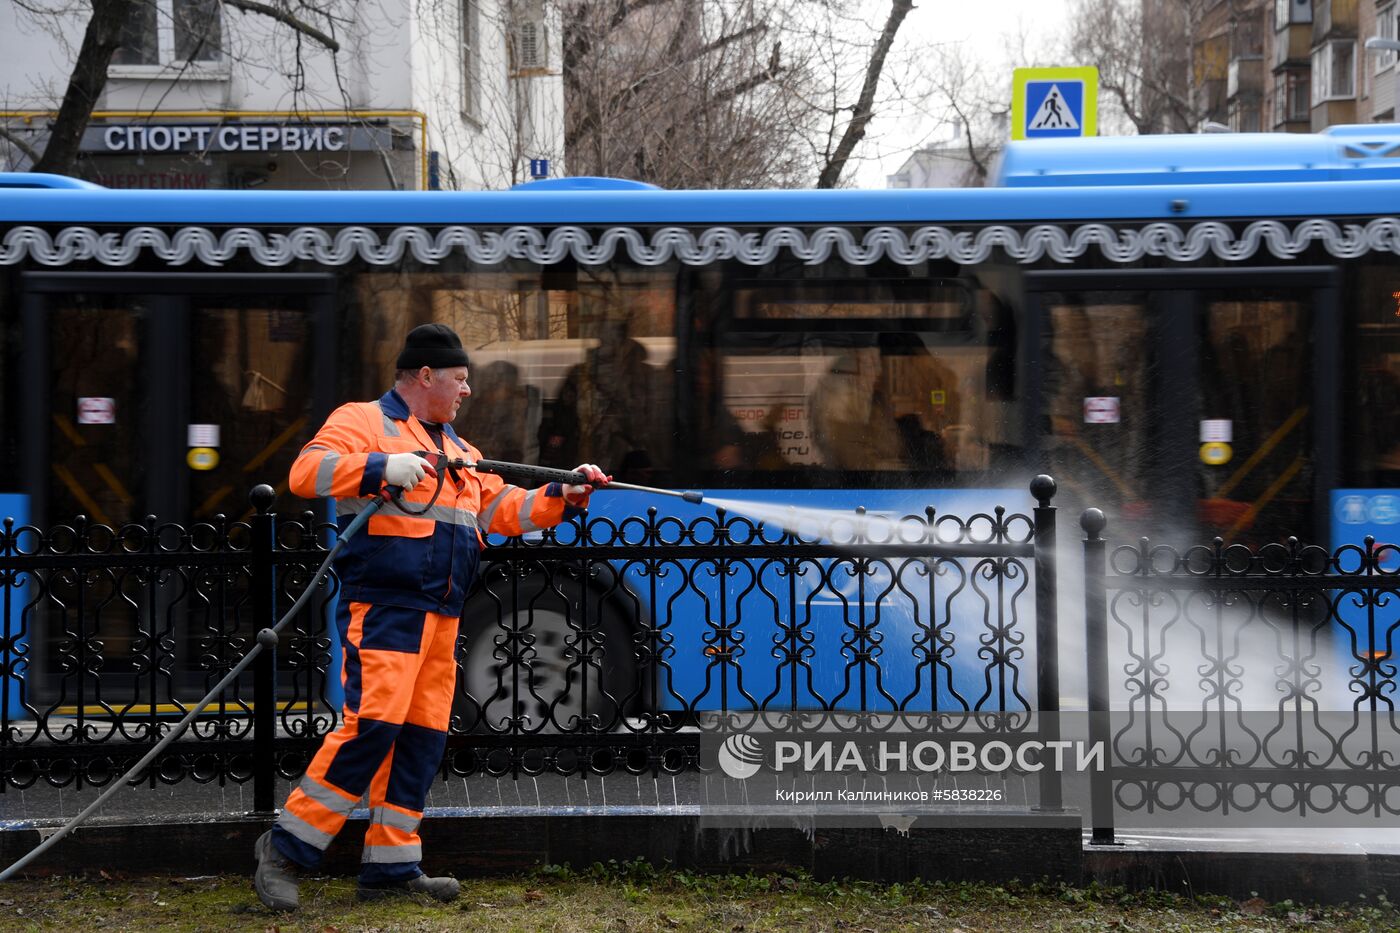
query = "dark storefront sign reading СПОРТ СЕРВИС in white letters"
{"x": 234, "y": 138}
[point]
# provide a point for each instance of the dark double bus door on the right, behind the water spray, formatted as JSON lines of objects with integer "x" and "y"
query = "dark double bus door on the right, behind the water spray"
{"x": 1189, "y": 404}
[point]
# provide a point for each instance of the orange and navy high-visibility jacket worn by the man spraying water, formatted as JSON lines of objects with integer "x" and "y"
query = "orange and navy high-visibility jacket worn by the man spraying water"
{"x": 419, "y": 562}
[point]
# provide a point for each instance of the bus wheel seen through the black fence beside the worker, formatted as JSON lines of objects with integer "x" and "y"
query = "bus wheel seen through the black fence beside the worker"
{"x": 551, "y": 668}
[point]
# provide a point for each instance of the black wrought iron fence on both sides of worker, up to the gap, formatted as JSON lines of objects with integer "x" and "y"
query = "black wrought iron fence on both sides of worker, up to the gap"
{"x": 594, "y": 648}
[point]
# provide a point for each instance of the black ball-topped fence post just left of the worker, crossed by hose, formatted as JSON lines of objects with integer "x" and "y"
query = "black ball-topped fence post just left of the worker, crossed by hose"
{"x": 265, "y": 666}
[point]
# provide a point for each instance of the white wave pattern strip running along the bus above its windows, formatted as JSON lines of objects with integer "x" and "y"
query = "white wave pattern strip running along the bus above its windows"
{"x": 713, "y": 244}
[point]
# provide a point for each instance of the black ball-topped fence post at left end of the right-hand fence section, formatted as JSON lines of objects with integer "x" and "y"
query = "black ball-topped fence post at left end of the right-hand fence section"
{"x": 1097, "y": 658}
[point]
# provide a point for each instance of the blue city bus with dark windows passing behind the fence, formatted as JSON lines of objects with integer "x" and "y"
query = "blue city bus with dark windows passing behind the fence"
{"x": 1198, "y": 334}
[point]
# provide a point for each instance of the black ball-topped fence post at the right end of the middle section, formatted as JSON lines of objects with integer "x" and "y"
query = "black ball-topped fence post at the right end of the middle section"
{"x": 1048, "y": 635}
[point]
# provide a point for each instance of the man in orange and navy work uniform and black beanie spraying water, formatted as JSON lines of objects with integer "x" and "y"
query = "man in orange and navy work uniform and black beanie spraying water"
{"x": 402, "y": 590}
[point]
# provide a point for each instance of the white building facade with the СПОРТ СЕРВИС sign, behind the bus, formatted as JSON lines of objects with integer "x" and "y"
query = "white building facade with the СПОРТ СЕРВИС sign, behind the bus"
{"x": 334, "y": 95}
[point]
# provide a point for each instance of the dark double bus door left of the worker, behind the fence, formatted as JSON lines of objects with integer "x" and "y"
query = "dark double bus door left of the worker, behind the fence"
{"x": 166, "y": 396}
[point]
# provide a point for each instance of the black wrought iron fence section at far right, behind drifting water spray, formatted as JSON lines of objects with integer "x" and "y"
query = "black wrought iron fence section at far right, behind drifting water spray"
{"x": 1226, "y": 680}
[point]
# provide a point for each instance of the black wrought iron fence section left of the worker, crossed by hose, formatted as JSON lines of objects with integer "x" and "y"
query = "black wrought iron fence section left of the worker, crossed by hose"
{"x": 113, "y": 634}
